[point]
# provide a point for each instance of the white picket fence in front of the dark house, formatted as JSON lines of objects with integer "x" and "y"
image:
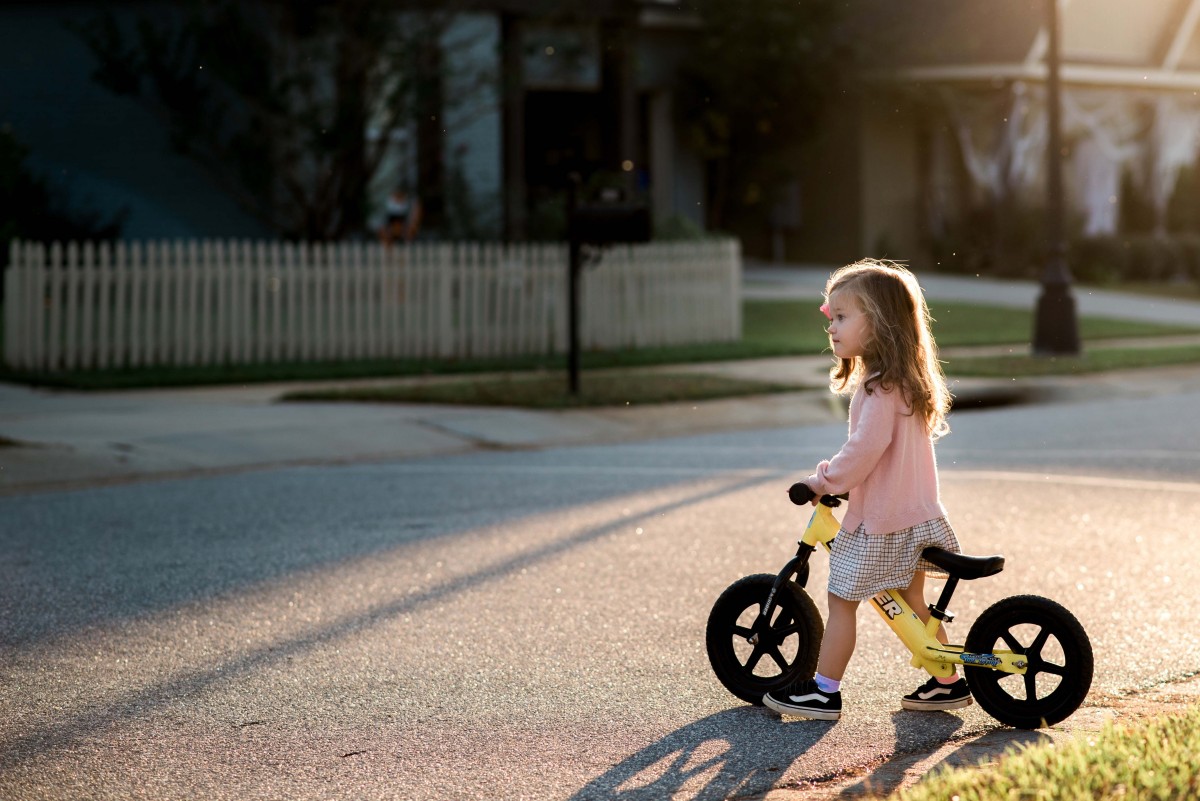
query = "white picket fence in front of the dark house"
{"x": 218, "y": 303}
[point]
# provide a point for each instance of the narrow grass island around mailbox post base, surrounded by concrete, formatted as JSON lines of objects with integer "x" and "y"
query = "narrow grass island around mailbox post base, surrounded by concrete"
{"x": 550, "y": 392}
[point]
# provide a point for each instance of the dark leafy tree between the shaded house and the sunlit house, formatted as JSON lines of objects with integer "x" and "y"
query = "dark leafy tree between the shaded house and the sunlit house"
{"x": 758, "y": 76}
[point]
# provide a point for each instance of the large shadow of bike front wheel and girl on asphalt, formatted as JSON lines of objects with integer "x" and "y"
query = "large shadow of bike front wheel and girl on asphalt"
{"x": 736, "y": 752}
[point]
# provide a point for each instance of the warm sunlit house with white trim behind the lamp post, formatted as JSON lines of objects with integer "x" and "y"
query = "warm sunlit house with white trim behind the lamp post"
{"x": 947, "y": 130}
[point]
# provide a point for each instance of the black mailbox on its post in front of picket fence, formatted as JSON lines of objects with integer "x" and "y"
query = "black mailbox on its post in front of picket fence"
{"x": 605, "y": 222}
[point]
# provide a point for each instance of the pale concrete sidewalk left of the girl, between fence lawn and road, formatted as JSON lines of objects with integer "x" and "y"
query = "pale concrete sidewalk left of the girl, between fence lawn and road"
{"x": 67, "y": 441}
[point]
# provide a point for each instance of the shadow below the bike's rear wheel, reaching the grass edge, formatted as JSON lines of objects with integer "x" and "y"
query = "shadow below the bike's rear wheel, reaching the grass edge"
{"x": 932, "y": 728}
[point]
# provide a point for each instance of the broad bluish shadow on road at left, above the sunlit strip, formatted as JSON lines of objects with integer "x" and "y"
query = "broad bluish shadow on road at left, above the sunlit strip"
{"x": 136, "y": 551}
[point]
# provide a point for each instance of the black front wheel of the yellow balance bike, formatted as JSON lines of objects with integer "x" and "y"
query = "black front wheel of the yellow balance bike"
{"x": 788, "y": 647}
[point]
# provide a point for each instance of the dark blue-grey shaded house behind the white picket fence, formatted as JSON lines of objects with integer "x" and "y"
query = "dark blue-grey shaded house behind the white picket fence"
{"x": 593, "y": 95}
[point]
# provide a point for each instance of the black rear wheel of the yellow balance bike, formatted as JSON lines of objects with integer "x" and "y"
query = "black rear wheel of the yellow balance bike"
{"x": 1059, "y": 653}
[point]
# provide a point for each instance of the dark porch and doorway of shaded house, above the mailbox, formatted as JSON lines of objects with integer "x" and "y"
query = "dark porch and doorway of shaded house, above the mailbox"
{"x": 598, "y": 98}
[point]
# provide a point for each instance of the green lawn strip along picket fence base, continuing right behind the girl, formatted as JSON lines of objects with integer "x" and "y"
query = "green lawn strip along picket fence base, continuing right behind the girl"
{"x": 770, "y": 329}
